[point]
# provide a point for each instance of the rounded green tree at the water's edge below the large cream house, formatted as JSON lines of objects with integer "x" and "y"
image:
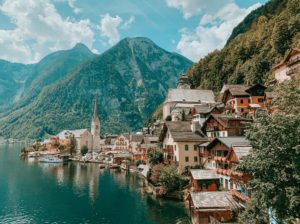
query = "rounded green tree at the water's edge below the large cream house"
{"x": 170, "y": 178}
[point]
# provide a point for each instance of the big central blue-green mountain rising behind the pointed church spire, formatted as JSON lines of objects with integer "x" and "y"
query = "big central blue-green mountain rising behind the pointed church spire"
{"x": 131, "y": 80}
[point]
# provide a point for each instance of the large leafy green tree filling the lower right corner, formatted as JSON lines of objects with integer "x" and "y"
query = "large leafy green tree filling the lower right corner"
{"x": 274, "y": 165}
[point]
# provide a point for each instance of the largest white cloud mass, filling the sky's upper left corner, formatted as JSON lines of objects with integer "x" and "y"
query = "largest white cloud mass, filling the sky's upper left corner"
{"x": 40, "y": 29}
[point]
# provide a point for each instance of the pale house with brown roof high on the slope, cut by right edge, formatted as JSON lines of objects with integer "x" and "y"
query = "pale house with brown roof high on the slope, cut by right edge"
{"x": 288, "y": 66}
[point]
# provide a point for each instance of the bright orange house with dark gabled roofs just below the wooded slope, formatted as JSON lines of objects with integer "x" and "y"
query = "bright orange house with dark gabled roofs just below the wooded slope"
{"x": 243, "y": 99}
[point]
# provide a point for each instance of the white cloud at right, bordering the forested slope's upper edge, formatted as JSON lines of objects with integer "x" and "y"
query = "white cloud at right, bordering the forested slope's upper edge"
{"x": 213, "y": 30}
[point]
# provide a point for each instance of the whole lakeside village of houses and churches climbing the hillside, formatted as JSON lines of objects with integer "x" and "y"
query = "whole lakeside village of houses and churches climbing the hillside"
{"x": 201, "y": 136}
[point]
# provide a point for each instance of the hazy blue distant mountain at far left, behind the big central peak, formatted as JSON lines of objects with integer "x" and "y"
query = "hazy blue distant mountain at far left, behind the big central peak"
{"x": 22, "y": 83}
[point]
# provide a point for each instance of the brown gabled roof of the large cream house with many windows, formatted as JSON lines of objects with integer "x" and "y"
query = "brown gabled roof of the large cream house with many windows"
{"x": 181, "y": 132}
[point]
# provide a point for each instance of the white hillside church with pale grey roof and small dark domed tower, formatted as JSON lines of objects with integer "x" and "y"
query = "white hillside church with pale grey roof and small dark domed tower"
{"x": 183, "y": 98}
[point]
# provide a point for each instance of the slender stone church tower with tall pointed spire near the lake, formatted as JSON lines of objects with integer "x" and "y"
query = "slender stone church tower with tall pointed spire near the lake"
{"x": 95, "y": 126}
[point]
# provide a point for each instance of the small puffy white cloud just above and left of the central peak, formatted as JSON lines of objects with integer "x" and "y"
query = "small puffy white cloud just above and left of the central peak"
{"x": 109, "y": 27}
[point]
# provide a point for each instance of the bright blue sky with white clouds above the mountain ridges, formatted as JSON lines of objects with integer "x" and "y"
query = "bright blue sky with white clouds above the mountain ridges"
{"x": 31, "y": 29}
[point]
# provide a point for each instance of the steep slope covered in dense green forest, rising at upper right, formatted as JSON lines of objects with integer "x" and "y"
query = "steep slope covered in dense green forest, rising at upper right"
{"x": 260, "y": 41}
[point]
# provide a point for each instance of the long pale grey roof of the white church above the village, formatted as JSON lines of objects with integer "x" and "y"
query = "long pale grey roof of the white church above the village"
{"x": 190, "y": 95}
